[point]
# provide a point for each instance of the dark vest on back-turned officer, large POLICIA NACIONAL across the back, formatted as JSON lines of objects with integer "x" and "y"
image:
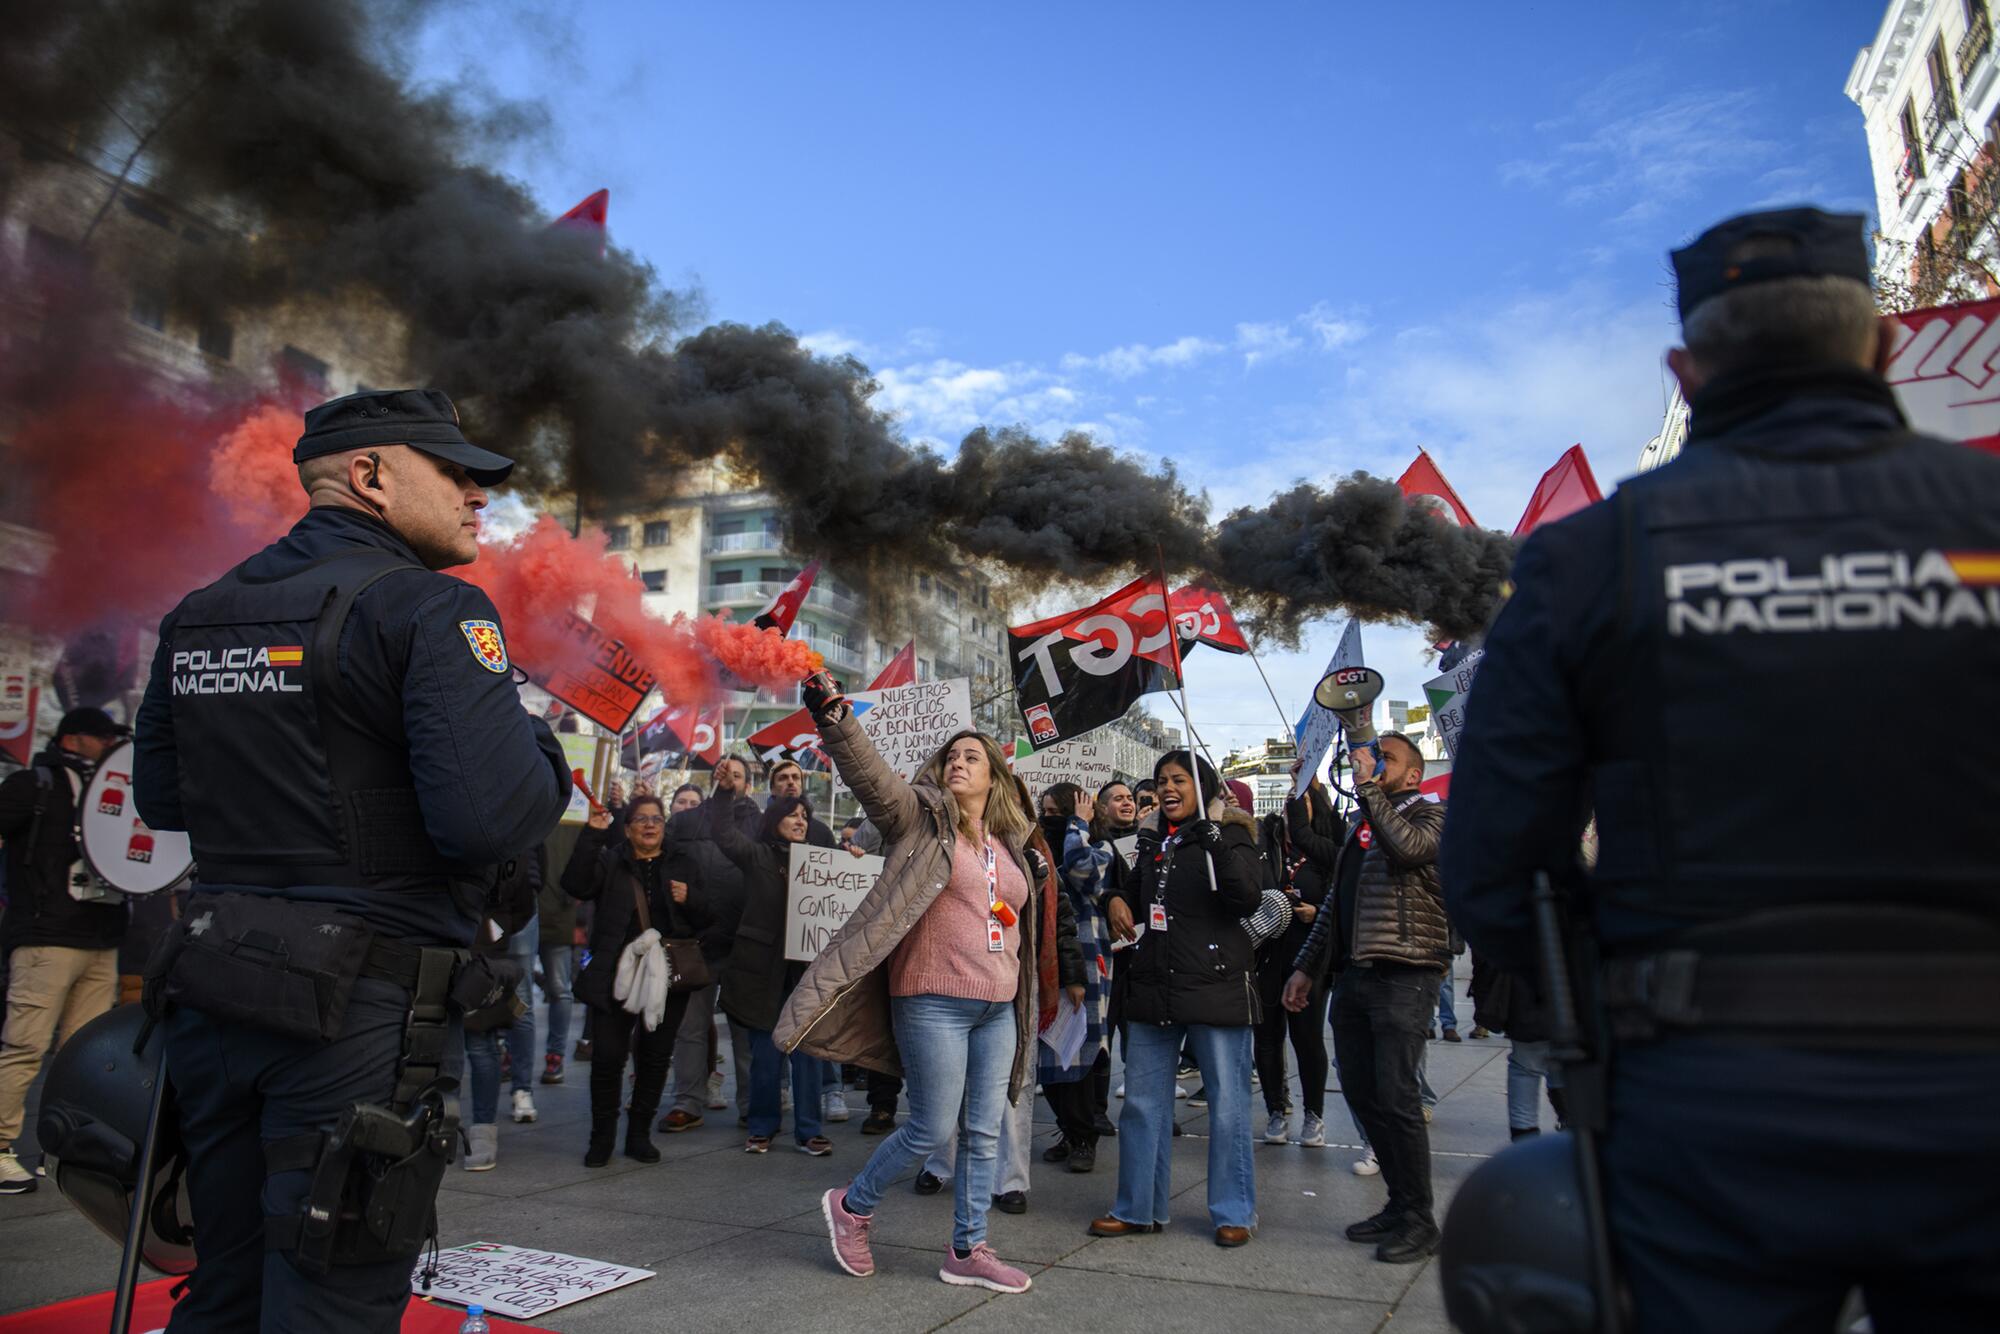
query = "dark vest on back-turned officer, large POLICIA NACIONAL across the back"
{"x": 1817, "y": 633}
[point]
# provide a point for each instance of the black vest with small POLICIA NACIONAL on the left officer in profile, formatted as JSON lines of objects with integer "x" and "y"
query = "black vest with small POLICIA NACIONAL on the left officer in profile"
{"x": 283, "y": 781}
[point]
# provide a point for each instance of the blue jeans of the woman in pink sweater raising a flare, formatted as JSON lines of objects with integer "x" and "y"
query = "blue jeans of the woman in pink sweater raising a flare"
{"x": 955, "y": 1055}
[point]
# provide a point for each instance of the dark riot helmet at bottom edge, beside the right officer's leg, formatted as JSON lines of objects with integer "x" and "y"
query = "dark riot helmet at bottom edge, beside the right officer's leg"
{"x": 1517, "y": 1245}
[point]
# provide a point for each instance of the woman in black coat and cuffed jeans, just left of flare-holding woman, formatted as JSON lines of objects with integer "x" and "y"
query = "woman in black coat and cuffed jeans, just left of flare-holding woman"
{"x": 757, "y": 981}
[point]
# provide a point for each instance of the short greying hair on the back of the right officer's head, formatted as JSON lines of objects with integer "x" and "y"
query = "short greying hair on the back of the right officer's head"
{"x": 1811, "y": 319}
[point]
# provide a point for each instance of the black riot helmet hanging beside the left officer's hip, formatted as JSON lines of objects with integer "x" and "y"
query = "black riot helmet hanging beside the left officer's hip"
{"x": 95, "y": 1107}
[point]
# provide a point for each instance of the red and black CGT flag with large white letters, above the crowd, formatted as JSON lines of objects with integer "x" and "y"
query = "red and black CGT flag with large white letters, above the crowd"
{"x": 1085, "y": 669}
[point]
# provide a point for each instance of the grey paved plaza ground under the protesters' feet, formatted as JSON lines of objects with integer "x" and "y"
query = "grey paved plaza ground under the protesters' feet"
{"x": 739, "y": 1243}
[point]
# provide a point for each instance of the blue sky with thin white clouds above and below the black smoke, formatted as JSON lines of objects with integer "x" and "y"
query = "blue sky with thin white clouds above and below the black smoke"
{"x": 1265, "y": 241}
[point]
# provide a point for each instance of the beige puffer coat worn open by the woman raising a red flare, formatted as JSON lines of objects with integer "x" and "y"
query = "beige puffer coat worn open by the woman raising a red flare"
{"x": 839, "y": 1011}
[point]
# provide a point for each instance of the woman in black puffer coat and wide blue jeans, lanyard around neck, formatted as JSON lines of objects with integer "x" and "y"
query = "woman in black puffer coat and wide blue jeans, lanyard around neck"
{"x": 1191, "y": 981}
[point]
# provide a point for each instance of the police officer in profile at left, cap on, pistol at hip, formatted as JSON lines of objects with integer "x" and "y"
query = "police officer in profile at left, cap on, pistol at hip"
{"x": 337, "y": 729}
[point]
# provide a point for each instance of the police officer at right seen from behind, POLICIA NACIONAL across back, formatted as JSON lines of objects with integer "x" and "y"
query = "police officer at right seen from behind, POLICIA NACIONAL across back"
{"x": 1797, "y": 895}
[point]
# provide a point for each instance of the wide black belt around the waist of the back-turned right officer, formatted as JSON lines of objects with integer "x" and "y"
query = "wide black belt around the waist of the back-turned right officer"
{"x": 1845, "y": 999}
